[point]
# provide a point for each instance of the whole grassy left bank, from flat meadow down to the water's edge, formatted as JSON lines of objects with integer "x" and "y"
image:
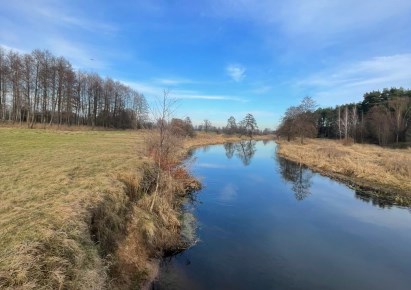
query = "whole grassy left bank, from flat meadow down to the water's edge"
{"x": 76, "y": 212}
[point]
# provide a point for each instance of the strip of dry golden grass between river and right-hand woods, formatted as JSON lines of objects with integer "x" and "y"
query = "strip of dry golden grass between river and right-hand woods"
{"x": 383, "y": 169}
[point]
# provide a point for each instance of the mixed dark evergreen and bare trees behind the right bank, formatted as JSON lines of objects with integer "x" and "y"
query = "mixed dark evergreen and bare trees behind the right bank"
{"x": 383, "y": 117}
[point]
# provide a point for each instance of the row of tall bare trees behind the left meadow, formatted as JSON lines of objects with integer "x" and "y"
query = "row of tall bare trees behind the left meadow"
{"x": 42, "y": 88}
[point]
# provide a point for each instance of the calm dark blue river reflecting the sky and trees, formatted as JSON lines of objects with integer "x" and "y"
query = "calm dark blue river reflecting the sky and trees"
{"x": 266, "y": 223}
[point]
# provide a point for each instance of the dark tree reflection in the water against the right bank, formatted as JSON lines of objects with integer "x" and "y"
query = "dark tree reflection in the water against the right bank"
{"x": 297, "y": 175}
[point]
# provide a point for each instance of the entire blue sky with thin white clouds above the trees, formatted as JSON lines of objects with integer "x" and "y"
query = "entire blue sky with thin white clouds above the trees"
{"x": 224, "y": 57}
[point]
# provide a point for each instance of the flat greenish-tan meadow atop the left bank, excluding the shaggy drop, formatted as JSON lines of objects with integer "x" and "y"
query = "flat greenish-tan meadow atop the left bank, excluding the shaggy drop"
{"x": 49, "y": 181}
